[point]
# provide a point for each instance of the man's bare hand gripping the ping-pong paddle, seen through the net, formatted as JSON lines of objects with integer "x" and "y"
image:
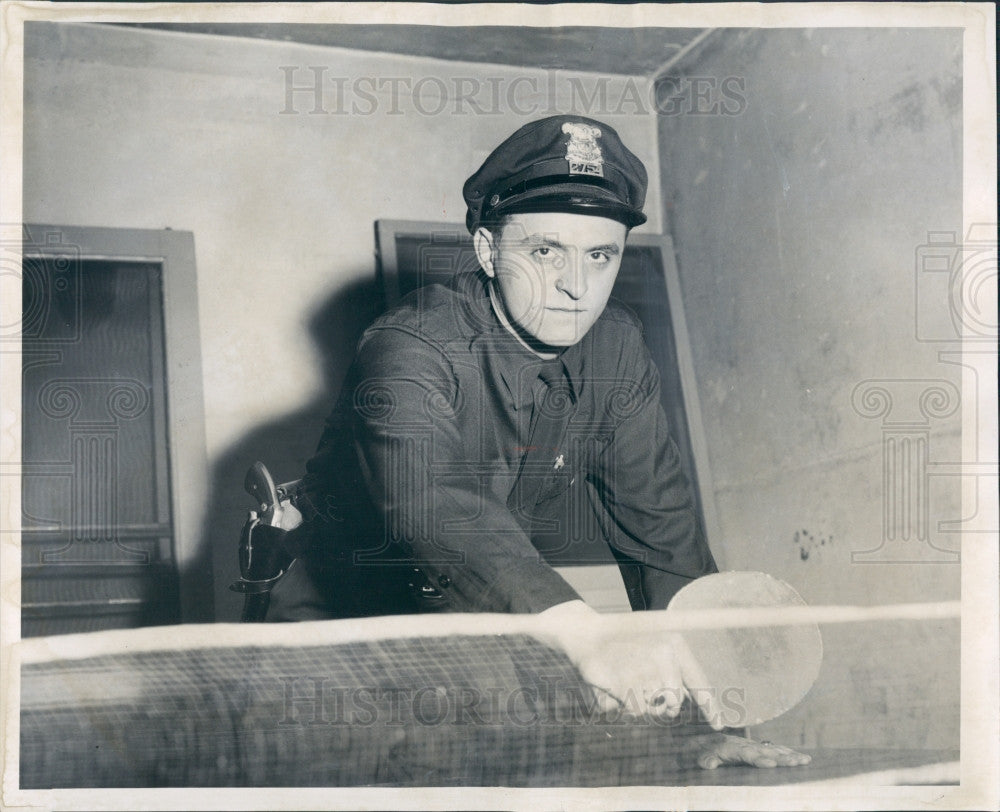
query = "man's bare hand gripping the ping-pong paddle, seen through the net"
{"x": 628, "y": 674}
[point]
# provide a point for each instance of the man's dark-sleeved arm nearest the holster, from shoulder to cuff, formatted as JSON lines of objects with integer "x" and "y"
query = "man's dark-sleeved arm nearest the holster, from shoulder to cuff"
{"x": 429, "y": 485}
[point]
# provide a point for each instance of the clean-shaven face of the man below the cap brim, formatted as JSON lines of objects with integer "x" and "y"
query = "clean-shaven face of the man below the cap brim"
{"x": 553, "y": 272}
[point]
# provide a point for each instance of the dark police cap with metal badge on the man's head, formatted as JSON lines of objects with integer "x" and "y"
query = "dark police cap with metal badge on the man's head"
{"x": 560, "y": 163}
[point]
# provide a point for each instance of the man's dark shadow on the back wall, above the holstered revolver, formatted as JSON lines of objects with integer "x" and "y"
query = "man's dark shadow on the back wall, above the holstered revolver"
{"x": 284, "y": 445}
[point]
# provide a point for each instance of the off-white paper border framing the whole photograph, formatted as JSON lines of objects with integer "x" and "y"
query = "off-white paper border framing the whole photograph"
{"x": 980, "y": 684}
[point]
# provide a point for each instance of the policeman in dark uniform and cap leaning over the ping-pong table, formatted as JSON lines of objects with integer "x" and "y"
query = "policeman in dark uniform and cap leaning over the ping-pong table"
{"x": 498, "y": 415}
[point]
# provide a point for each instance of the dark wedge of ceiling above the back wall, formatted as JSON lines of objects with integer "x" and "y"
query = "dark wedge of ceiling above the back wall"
{"x": 629, "y": 51}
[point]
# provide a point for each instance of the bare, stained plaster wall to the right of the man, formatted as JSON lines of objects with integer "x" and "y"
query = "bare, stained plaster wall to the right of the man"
{"x": 799, "y": 222}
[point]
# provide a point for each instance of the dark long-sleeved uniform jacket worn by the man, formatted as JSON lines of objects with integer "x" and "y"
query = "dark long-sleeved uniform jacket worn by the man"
{"x": 425, "y": 492}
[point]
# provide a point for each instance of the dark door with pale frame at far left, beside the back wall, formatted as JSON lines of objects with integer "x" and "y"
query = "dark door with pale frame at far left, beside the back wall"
{"x": 99, "y": 530}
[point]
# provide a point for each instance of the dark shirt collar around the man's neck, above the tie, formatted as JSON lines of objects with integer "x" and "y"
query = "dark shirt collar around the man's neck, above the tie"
{"x": 511, "y": 362}
